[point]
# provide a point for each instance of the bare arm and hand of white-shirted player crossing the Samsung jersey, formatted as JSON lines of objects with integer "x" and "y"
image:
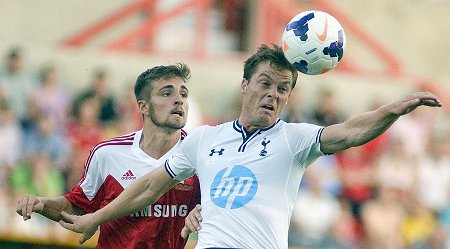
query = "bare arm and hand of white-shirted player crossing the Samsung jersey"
{"x": 137, "y": 196}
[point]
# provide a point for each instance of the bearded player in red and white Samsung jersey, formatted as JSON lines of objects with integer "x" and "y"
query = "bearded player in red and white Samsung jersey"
{"x": 115, "y": 164}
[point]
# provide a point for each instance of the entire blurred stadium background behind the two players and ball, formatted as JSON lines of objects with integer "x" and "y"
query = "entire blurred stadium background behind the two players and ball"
{"x": 68, "y": 69}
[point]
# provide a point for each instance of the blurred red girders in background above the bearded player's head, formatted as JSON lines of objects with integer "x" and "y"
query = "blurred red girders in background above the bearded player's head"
{"x": 141, "y": 38}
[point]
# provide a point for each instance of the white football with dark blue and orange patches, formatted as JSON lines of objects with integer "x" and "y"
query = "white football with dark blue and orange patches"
{"x": 313, "y": 42}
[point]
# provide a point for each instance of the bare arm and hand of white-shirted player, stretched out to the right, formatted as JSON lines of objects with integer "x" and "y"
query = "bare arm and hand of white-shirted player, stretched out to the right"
{"x": 362, "y": 128}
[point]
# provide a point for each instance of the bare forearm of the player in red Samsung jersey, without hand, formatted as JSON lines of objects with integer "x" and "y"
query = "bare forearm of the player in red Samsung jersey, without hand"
{"x": 54, "y": 205}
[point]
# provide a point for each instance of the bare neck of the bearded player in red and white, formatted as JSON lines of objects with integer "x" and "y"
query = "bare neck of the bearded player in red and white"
{"x": 156, "y": 142}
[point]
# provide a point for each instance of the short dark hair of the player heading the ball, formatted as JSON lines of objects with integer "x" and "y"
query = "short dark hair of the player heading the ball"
{"x": 276, "y": 58}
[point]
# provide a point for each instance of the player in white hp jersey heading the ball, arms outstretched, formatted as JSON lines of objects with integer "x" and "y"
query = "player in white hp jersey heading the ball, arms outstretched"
{"x": 250, "y": 169}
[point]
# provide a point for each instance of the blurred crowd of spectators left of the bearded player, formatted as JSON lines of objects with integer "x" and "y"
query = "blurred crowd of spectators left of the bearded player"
{"x": 47, "y": 131}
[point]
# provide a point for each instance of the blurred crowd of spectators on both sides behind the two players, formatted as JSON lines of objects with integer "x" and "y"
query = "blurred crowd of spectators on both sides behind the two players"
{"x": 391, "y": 193}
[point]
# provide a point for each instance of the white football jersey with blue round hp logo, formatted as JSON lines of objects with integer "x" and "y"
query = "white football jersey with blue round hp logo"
{"x": 249, "y": 182}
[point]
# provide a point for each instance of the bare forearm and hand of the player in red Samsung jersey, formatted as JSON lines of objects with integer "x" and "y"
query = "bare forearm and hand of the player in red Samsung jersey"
{"x": 50, "y": 207}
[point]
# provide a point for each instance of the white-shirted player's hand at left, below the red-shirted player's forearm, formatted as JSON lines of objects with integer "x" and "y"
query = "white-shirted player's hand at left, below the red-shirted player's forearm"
{"x": 81, "y": 224}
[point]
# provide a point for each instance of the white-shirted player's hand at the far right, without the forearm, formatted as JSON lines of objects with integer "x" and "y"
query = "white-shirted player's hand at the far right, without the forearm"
{"x": 415, "y": 100}
